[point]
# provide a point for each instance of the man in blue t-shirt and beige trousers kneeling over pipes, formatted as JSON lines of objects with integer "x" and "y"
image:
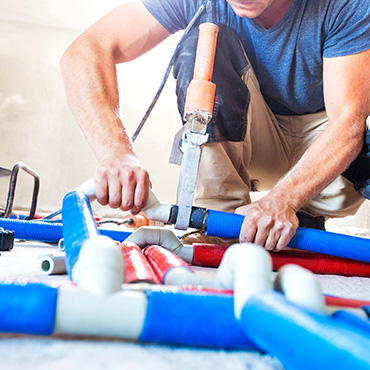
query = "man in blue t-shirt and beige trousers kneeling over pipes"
{"x": 307, "y": 75}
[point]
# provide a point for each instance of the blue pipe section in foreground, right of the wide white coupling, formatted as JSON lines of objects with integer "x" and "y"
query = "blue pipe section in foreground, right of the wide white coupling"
{"x": 193, "y": 319}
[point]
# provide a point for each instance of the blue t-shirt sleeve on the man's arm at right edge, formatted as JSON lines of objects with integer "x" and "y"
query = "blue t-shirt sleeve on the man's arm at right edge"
{"x": 347, "y": 28}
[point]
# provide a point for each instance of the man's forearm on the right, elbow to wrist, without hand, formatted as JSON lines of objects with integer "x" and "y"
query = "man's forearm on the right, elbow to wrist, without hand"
{"x": 325, "y": 160}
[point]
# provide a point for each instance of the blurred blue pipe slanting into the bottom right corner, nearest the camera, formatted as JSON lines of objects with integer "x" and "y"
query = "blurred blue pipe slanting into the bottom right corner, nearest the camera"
{"x": 301, "y": 339}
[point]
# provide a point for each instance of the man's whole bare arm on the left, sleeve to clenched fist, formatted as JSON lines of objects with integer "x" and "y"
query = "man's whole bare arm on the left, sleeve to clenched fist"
{"x": 89, "y": 73}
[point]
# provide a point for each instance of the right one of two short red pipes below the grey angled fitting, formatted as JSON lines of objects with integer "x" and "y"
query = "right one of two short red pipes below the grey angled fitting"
{"x": 162, "y": 260}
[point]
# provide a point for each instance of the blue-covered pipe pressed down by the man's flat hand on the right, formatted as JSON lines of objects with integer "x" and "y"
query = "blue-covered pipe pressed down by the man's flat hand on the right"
{"x": 228, "y": 225}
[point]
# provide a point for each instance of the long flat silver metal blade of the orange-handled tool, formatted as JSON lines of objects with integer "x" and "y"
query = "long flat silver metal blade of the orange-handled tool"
{"x": 192, "y": 148}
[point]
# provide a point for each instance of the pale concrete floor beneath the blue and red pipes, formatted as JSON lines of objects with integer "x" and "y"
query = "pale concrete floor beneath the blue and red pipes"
{"x": 77, "y": 352}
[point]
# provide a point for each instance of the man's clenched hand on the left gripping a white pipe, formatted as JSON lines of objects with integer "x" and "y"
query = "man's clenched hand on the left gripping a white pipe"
{"x": 122, "y": 182}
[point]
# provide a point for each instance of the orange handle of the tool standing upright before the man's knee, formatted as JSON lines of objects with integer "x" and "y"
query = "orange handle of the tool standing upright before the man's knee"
{"x": 201, "y": 91}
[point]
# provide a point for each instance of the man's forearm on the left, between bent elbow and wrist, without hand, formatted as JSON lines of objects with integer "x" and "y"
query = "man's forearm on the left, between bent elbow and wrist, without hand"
{"x": 91, "y": 87}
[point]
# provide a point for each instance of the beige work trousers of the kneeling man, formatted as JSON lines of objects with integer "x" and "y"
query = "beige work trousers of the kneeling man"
{"x": 273, "y": 144}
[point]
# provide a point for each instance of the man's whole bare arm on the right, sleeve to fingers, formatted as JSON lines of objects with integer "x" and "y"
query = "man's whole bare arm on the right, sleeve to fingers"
{"x": 272, "y": 220}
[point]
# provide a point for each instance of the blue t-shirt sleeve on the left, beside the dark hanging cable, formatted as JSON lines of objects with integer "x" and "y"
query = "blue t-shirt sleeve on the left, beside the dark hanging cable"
{"x": 174, "y": 15}
